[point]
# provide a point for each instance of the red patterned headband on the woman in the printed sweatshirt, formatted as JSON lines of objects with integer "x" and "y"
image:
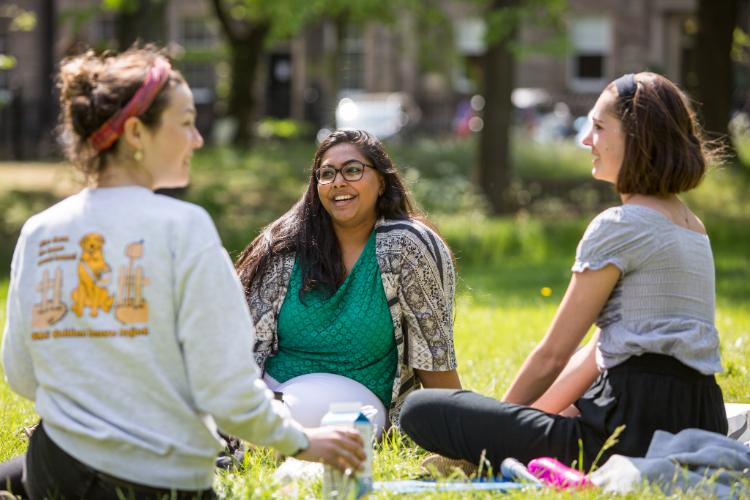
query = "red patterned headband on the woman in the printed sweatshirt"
{"x": 111, "y": 130}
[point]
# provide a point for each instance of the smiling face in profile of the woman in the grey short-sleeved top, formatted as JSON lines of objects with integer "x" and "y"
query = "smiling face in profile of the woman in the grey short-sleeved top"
{"x": 606, "y": 139}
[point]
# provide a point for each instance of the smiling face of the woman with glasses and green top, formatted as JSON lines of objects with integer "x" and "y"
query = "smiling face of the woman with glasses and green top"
{"x": 350, "y": 203}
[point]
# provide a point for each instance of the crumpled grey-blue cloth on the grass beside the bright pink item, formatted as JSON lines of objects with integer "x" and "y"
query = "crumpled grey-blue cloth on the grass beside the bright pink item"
{"x": 703, "y": 461}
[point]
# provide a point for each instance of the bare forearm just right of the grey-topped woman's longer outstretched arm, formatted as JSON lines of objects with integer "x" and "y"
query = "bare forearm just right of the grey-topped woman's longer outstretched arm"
{"x": 576, "y": 377}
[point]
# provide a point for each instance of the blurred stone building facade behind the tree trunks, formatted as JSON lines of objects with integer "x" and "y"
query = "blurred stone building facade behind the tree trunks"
{"x": 436, "y": 60}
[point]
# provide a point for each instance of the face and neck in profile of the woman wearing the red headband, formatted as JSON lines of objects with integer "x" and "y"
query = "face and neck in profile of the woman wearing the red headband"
{"x": 168, "y": 148}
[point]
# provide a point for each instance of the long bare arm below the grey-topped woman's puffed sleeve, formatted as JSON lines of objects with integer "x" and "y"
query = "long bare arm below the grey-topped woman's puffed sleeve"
{"x": 587, "y": 293}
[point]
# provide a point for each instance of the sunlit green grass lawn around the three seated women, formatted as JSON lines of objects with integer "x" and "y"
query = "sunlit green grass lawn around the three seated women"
{"x": 500, "y": 315}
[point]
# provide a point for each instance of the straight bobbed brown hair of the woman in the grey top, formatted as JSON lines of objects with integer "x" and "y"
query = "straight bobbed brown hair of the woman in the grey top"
{"x": 665, "y": 152}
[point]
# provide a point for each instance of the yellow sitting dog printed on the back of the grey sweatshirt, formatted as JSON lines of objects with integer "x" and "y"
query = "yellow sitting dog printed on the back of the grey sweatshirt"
{"x": 93, "y": 276}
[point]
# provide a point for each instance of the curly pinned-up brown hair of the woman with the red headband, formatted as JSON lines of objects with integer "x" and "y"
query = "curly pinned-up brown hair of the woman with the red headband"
{"x": 93, "y": 88}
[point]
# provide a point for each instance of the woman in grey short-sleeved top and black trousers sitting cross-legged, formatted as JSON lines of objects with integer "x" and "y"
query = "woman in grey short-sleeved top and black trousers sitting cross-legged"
{"x": 644, "y": 274}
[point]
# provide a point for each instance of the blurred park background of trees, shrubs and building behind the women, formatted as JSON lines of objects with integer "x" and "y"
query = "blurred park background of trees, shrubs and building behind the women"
{"x": 480, "y": 102}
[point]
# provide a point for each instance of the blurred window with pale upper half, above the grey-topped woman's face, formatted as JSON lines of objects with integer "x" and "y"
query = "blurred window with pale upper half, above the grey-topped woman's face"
{"x": 592, "y": 42}
